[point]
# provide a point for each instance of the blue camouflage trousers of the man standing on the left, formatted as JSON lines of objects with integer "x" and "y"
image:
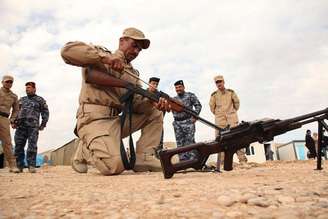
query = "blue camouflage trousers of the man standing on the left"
{"x": 26, "y": 133}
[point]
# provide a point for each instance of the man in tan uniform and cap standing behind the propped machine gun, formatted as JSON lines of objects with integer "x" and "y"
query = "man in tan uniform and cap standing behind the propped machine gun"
{"x": 224, "y": 104}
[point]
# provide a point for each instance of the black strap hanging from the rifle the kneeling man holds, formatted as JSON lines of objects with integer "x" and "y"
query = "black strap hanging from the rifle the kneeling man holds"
{"x": 128, "y": 109}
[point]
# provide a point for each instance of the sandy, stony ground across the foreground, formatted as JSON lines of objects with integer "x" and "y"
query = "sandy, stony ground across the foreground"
{"x": 272, "y": 190}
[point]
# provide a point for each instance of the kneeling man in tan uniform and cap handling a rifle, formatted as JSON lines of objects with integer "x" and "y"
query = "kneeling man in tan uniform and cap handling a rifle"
{"x": 98, "y": 122}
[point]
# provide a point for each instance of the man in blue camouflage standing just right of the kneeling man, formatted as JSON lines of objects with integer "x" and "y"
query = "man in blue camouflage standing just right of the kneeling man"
{"x": 184, "y": 124}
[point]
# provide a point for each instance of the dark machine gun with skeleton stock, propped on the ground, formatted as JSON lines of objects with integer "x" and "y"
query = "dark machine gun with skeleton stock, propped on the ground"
{"x": 241, "y": 136}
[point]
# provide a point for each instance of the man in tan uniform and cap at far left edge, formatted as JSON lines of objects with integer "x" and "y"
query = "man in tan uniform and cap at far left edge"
{"x": 8, "y": 114}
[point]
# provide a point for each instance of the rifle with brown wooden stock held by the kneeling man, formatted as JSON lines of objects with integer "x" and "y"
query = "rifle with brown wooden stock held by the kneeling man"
{"x": 104, "y": 79}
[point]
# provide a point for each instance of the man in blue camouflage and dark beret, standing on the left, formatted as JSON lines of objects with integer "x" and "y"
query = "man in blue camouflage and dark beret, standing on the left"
{"x": 28, "y": 126}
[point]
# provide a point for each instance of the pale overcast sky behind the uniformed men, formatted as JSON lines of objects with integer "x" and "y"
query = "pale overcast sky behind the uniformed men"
{"x": 274, "y": 54}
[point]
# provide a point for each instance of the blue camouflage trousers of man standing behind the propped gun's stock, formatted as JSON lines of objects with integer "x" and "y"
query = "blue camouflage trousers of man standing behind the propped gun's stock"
{"x": 185, "y": 135}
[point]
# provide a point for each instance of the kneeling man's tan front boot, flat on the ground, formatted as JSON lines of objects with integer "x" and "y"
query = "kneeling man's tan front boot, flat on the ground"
{"x": 147, "y": 162}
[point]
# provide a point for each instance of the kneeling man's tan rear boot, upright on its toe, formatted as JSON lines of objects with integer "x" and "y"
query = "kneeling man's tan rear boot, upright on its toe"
{"x": 79, "y": 163}
